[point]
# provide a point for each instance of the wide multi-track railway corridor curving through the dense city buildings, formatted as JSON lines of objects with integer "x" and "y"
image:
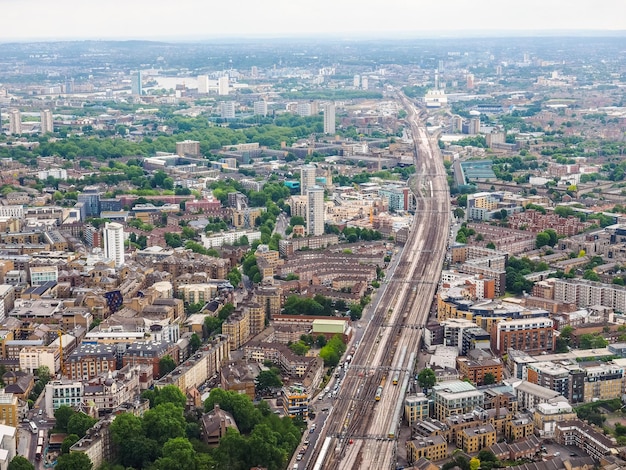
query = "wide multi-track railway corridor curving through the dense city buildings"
{"x": 361, "y": 430}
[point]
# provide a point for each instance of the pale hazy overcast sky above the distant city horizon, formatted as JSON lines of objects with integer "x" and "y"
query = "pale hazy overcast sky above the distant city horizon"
{"x": 183, "y": 19}
